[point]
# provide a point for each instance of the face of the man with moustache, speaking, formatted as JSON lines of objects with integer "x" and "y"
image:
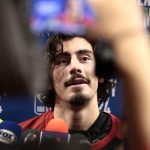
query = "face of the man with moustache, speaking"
{"x": 73, "y": 73}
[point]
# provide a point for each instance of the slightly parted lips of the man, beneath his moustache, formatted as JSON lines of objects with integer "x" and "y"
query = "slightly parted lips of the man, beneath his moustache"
{"x": 76, "y": 81}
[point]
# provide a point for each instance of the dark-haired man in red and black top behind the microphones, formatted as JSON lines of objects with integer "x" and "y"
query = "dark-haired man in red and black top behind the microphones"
{"x": 75, "y": 92}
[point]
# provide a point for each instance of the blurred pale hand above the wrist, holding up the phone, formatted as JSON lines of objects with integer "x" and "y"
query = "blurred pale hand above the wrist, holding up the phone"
{"x": 115, "y": 17}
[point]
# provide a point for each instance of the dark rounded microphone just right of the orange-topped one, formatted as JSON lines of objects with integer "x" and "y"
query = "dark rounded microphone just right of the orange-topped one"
{"x": 79, "y": 142}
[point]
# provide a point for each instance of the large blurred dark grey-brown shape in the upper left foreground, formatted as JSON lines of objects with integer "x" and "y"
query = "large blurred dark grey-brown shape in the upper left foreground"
{"x": 19, "y": 57}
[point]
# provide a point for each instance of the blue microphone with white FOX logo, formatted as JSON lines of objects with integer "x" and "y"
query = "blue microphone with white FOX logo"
{"x": 10, "y": 135}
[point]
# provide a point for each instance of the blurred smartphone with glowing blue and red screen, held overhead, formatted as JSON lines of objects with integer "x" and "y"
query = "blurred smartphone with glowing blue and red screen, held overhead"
{"x": 64, "y": 16}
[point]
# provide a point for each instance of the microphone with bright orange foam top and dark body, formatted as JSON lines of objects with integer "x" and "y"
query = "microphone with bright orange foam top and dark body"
{"x": 55, "y": 135}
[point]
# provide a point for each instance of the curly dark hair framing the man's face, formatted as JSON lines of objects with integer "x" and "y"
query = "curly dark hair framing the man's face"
{"x": 52, "y": 49}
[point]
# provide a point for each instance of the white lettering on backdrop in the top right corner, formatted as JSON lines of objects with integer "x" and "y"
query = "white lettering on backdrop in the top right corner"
{"x": 146, "y": 6}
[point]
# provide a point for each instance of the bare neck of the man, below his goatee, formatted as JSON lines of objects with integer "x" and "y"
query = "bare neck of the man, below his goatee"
{"x": 77, "y": 117}
